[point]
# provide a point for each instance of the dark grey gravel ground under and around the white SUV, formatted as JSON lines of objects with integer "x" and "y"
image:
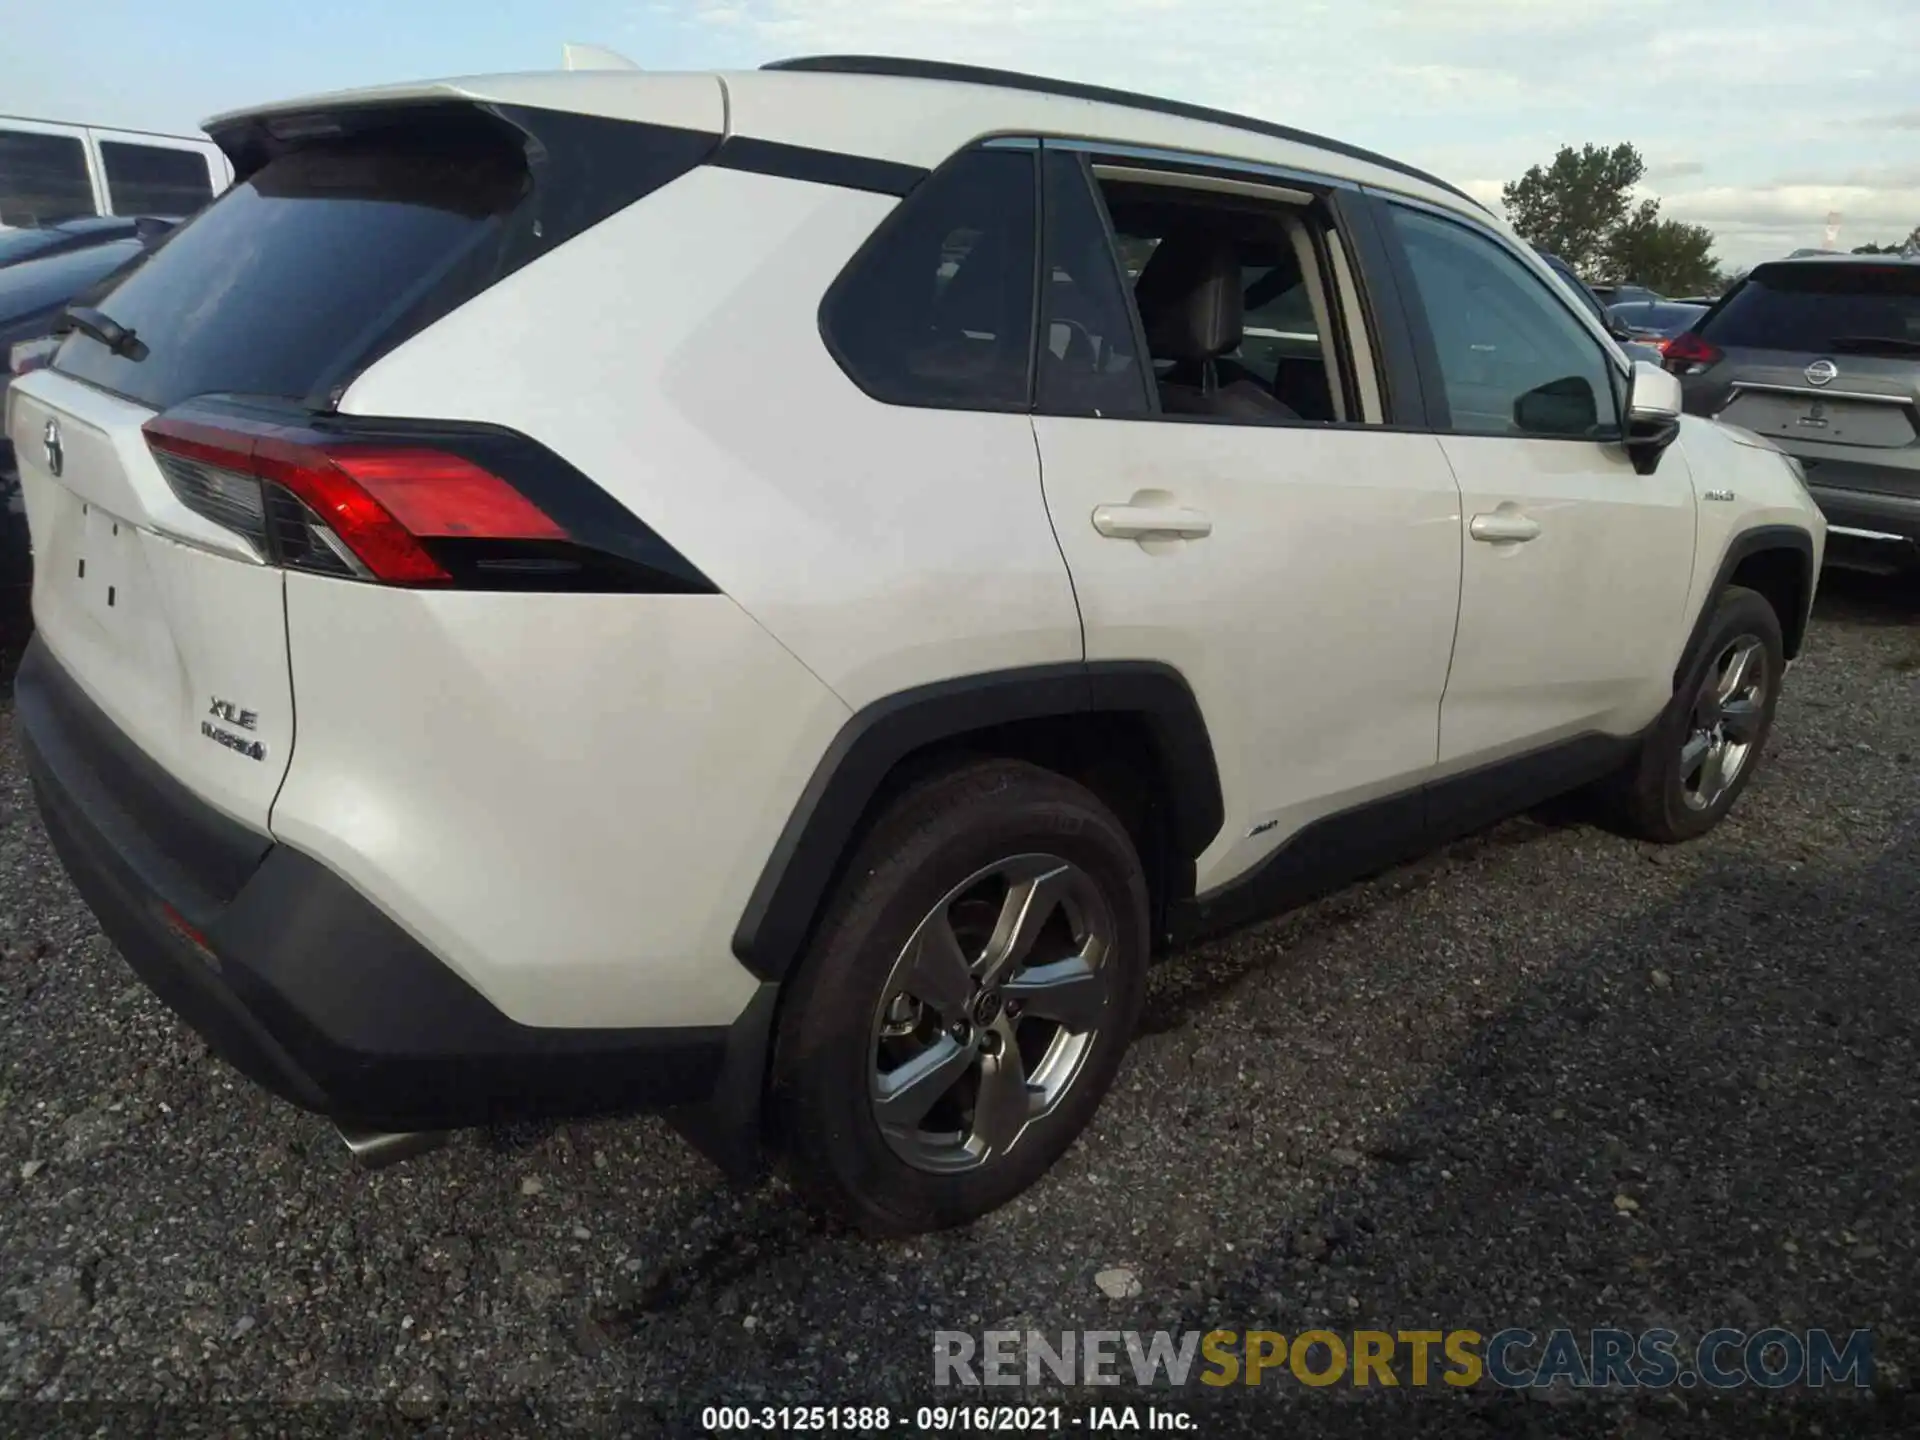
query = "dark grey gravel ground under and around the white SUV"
{"x": 1416, "y": 1105}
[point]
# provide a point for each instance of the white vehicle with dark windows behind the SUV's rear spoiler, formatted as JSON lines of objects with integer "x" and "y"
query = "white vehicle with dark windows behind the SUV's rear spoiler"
{"x": 53, "y": 172}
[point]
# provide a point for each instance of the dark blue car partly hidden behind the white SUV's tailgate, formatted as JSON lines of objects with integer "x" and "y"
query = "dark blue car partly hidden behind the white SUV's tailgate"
{"x": 34, "y": 297}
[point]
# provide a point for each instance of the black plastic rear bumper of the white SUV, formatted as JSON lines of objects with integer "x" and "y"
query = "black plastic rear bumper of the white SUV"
{"x": 304, "y": 986}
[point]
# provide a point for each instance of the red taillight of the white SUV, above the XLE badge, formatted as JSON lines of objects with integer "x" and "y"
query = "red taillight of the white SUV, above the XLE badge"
{"x": 341, "y": 508}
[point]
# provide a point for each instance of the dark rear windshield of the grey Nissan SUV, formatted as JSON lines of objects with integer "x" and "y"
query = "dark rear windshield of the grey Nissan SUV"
{"x": 1821, "y": 308}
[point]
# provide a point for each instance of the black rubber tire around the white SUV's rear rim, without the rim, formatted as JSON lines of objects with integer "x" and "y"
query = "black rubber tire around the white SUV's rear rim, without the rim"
{"x": 825, "y": 1061}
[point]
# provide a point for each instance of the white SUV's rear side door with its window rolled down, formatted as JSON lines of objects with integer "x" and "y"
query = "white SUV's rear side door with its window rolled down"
{"x": 1289, "y": 554}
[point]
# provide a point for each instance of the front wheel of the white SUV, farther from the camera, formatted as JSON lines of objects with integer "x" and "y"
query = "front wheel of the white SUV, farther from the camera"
{"x": 1669, "y": 794}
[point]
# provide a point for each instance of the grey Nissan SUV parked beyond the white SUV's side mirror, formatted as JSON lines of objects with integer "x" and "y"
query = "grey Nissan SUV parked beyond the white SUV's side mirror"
{"x": 1823, "y": 356}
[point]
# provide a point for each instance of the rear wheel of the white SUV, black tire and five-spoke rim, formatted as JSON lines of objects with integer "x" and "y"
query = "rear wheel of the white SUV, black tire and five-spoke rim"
{"x": 873, "y": 1005}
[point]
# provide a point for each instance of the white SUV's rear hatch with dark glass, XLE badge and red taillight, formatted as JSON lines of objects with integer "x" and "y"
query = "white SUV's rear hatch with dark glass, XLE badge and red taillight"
{"x": 170, "y": 458}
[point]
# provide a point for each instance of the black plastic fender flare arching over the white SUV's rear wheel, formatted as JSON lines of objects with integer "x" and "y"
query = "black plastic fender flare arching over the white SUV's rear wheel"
{"x": 794, "y": 884}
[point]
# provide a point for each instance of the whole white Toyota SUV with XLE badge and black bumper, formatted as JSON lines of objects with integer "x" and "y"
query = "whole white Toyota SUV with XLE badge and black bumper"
{"x": 771, "y": 596}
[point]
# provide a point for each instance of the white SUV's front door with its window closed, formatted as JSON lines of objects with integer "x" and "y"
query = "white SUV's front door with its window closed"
{"x": 1577, "y": 569}
